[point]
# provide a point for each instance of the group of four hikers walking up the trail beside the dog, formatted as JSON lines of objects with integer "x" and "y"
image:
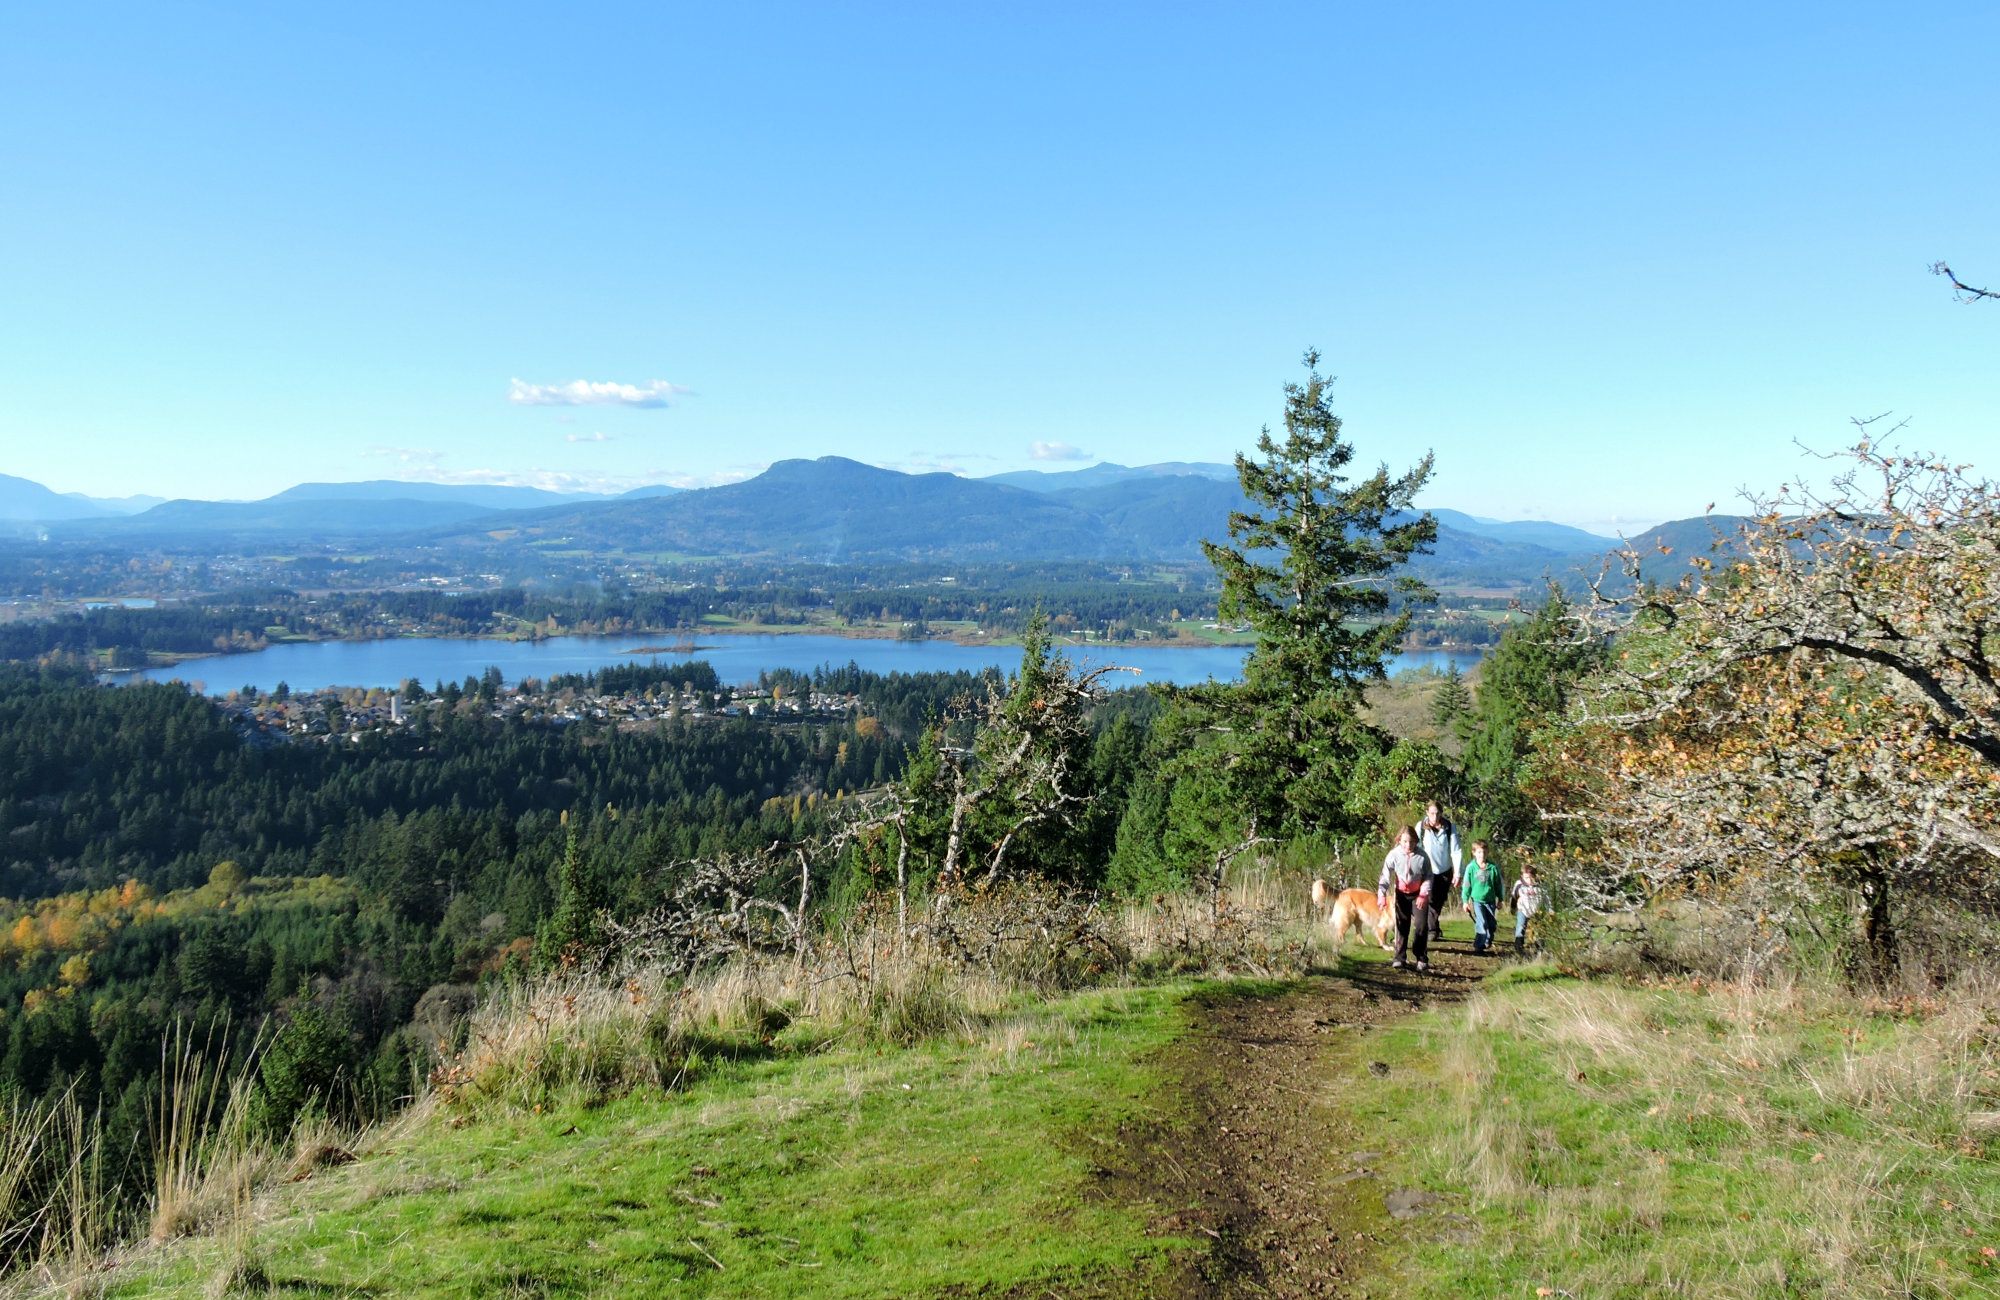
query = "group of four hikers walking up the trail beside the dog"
{"x": 1421, "y": 871}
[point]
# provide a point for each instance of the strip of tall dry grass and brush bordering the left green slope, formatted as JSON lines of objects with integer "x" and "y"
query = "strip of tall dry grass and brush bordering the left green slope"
{"x": 579, "y": 1039}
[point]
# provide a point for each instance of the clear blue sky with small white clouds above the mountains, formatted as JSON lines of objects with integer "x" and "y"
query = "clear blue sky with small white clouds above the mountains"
{"x": 1607, "y": 261}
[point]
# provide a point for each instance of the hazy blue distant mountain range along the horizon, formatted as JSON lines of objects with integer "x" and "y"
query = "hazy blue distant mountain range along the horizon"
{"x": 827, "y": 511}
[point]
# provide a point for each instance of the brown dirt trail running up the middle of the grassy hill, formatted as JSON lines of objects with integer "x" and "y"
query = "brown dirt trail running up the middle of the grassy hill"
{"x": 1261, "y": 1157}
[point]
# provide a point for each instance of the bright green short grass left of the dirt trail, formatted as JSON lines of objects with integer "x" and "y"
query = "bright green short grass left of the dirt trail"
{"x": 855, "y": 1171}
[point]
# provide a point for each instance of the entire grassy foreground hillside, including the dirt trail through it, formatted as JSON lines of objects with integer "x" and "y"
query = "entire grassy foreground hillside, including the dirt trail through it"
{"x": 1351, "y": 1133}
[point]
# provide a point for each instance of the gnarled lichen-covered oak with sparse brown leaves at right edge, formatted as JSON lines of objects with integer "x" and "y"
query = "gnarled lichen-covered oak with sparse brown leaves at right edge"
{"x": 1813, "y": 713}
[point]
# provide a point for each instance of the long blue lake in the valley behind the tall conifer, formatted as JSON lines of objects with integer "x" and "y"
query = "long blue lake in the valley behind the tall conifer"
{"x": 737, "y": 657}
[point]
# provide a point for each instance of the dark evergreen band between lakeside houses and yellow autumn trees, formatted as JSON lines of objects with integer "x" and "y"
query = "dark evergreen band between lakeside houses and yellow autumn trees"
{"x": 151, "y": 783}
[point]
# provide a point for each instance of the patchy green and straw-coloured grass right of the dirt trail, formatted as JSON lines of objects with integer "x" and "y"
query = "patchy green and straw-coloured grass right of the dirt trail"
{"x": 1611, "y": 1141}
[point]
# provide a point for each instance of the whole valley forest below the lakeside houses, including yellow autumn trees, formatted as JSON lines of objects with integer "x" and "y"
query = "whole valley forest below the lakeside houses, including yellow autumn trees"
{"x": 163, "y": 869}
